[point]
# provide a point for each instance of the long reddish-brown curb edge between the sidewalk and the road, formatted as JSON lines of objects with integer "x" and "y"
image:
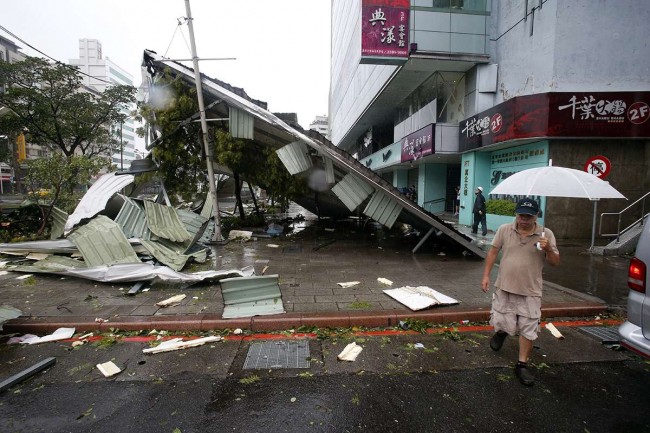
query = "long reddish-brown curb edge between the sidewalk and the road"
{"x": 206, "y": 322}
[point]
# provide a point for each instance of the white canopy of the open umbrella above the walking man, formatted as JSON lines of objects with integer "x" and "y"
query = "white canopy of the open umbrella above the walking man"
{"x": 555, "y": 181}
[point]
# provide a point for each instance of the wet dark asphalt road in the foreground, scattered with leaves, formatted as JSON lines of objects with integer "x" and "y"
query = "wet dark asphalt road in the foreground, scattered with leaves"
{"x": 454, "y": 384}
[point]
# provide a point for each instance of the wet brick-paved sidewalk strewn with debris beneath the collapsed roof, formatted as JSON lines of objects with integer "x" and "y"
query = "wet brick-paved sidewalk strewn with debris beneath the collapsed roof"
{"x": 309, "y": 269}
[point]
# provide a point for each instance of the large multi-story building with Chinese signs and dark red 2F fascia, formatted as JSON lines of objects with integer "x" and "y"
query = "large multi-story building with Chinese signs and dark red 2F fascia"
{"x": 446, "y": 93}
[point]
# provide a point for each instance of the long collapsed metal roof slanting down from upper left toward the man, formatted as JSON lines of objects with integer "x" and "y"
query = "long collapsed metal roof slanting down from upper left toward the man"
{"x": 347, "y": 179}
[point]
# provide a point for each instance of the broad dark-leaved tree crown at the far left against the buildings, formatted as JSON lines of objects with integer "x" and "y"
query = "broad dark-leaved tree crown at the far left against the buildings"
{"x": 49, "y": 101}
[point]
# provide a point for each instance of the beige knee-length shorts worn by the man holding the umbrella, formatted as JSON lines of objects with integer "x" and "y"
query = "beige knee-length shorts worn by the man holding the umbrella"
{"x": 516, "y": 314}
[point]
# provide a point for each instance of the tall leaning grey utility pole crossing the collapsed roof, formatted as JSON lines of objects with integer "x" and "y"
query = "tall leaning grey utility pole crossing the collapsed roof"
{"x": 204, "y": 127}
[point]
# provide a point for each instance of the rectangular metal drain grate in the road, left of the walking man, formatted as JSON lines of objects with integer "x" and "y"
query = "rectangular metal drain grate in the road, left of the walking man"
{"x": 278, "y": 354}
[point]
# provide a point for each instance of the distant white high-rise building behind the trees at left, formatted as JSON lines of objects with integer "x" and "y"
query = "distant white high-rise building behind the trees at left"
{"x": 99, "y": 73}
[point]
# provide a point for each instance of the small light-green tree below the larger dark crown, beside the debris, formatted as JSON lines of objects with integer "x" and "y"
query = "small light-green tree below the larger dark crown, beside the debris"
{"x": 60, "y": 174}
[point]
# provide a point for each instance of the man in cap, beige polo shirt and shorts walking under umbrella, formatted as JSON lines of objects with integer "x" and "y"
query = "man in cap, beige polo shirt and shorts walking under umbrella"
{"x": 517, "y": 300}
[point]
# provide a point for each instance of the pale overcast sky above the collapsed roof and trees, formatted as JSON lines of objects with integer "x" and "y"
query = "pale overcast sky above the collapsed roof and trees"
{"x": 282, "y": 47}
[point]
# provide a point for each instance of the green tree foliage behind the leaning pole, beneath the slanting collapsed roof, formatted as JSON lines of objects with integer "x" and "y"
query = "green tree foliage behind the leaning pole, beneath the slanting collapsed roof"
{"x": 179, "y": 149}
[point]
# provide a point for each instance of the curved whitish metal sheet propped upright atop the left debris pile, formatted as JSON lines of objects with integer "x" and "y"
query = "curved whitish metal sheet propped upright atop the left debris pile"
{"x": 94, "y": 201}
